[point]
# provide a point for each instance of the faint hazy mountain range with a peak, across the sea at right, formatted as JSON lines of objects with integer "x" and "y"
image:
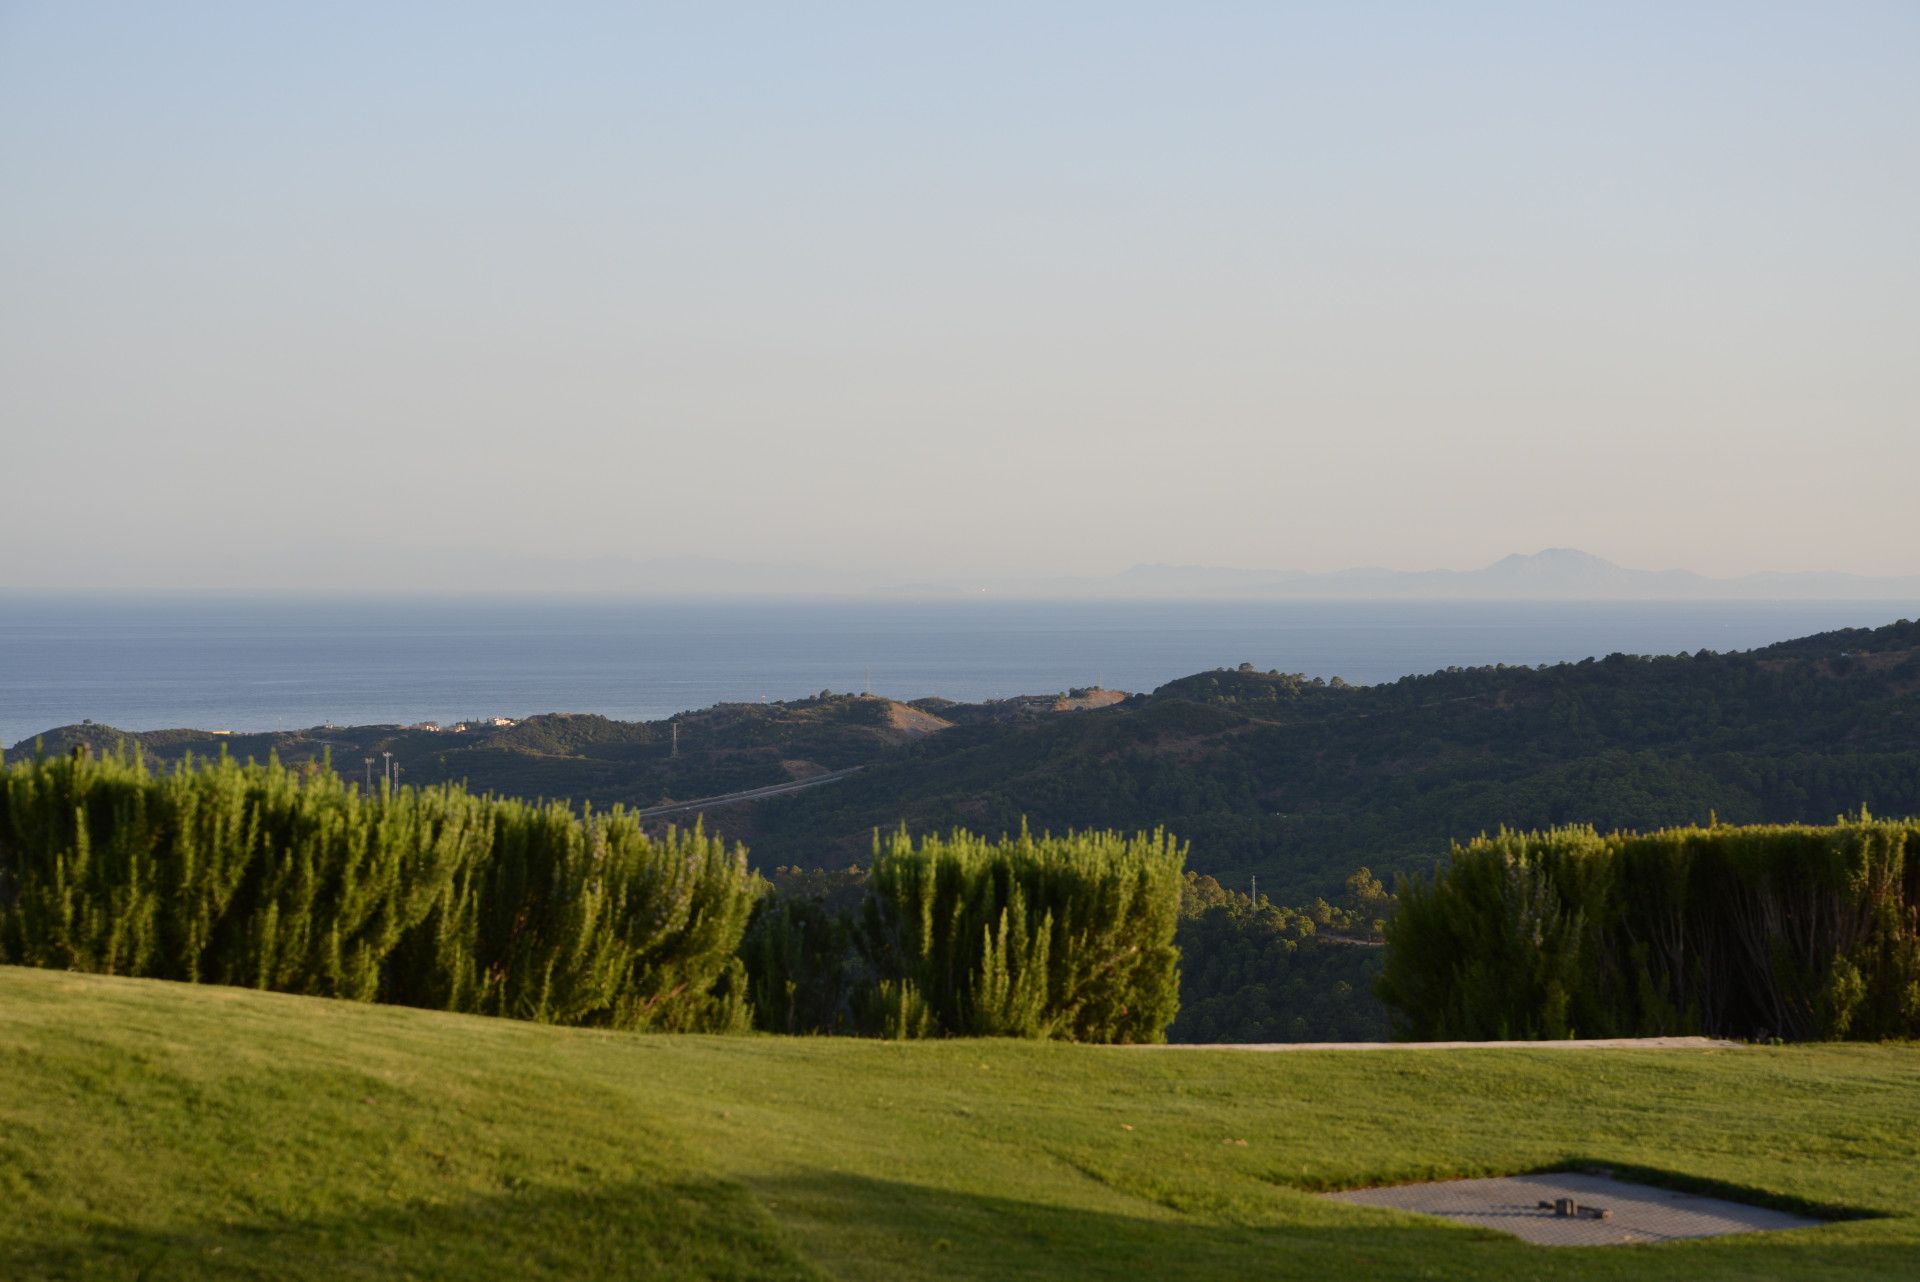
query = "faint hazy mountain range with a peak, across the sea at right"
{"x": 1552, "y": 575}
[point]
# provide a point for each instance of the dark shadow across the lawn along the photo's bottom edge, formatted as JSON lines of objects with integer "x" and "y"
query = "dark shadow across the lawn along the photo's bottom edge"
{"x": 880, "y": 1229}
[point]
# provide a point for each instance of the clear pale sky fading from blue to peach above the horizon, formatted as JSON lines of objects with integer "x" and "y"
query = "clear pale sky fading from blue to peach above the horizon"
{"x": 464, "y": 295}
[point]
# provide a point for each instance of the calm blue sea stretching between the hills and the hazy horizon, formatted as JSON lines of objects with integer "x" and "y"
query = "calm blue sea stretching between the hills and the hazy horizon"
{"x": 289, "y": 663}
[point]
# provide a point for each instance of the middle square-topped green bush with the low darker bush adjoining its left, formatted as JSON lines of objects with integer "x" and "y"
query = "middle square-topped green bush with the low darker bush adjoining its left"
{"x": 1040, "y": 938}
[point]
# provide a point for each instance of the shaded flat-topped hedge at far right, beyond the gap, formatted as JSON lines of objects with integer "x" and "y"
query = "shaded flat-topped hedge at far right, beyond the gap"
{"x": 1787, "y": 932}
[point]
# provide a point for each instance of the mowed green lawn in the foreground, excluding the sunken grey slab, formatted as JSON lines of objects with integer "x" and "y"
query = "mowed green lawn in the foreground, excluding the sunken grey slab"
{"x": 162, "y": 1131}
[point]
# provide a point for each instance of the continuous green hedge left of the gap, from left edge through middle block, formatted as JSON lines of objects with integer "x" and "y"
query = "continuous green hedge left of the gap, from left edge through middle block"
{"x": 297, "y": 882}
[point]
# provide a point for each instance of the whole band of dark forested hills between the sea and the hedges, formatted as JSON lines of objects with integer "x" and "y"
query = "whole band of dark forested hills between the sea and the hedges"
{"x": 1289, "y": 778}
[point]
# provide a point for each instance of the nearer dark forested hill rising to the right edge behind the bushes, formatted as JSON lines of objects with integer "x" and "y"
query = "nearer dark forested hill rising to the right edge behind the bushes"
{"x": 1301, "y": 782}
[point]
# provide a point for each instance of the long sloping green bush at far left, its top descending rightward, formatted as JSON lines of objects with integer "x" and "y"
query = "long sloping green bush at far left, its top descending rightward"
{"x": 295, "y": 882}
